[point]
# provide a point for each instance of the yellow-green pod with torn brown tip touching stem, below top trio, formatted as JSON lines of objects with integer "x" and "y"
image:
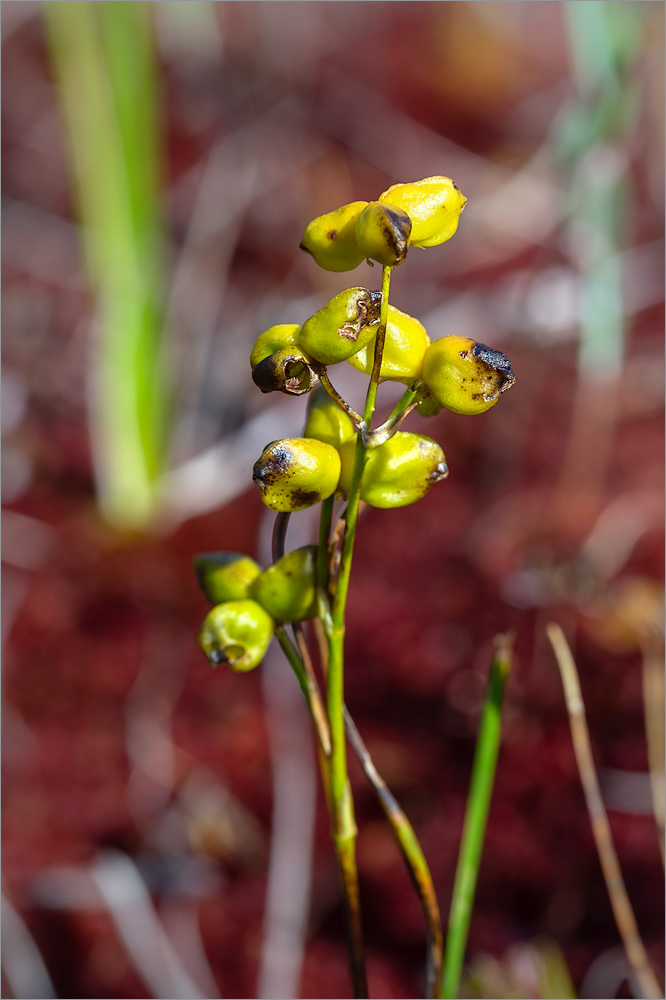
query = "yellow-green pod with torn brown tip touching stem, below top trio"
{"x": 343, "y": 326}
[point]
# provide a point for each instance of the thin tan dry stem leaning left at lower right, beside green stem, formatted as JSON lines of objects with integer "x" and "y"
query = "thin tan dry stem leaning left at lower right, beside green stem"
{"x": 622, "y": 909}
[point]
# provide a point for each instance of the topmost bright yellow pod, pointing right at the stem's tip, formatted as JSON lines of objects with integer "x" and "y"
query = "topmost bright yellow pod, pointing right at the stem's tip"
{"x": 433, "y": 204}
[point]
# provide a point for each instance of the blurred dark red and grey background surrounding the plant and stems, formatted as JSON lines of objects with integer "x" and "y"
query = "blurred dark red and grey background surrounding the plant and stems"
{"x": 163, "y": 834}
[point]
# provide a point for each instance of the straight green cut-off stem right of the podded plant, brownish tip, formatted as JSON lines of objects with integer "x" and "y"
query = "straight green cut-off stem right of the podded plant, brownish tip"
{"x": 476, "y": 816}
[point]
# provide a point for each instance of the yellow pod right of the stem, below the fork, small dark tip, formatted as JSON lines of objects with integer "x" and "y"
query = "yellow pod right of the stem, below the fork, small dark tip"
{"x": 398, "y": 472}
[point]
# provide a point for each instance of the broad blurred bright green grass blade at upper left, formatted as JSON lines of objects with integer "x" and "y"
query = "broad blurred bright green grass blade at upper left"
{"x": 104, "y": 64}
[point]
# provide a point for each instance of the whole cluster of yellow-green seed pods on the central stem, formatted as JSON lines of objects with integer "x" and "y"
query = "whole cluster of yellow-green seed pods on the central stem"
{"x": 400, "y": 467}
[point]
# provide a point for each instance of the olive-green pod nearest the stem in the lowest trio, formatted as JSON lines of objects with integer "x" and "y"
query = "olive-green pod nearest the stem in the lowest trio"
{"x": 288, "y": 589}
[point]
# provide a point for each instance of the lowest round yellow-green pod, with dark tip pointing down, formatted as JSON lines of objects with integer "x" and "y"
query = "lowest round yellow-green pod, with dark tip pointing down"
{"x": 237, "y": 633}
